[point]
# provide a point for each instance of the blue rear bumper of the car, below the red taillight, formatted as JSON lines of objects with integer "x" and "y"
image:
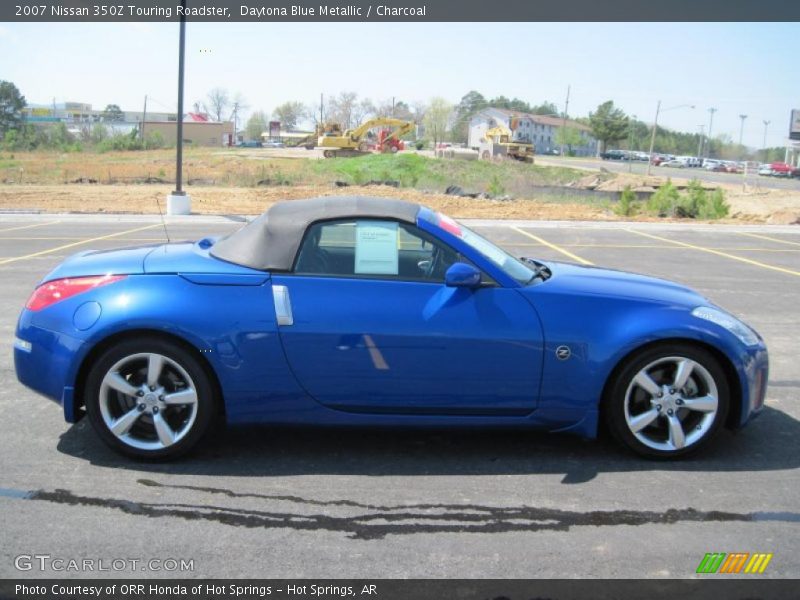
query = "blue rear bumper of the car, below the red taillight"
{"x": 44, "y": 362}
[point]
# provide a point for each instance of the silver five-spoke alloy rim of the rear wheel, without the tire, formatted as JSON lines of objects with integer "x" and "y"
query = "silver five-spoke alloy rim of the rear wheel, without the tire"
{"x": 148, "y": 401}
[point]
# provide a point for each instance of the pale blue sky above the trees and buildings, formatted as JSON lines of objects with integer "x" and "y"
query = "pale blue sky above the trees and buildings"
{"x": 738, "y": 68}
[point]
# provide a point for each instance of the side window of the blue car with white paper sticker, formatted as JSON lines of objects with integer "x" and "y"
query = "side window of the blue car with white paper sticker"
{"x": 375, "y": 249}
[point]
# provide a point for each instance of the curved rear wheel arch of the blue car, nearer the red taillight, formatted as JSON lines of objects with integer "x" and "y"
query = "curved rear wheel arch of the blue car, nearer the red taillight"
{"x": 121, "y": 336}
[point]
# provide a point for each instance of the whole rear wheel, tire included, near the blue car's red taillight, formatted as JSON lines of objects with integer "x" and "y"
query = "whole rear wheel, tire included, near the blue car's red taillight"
{"x": 149, "y": 398}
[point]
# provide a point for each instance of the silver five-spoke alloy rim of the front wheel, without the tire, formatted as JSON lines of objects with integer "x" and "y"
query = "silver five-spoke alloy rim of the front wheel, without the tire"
{"x": 671, "y": 403}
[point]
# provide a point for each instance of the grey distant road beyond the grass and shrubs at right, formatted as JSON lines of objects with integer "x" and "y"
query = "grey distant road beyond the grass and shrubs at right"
{"x": 640, "y": 168}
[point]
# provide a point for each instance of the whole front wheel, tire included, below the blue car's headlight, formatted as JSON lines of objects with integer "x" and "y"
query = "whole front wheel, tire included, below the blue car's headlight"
{"x": 668, "y": 402}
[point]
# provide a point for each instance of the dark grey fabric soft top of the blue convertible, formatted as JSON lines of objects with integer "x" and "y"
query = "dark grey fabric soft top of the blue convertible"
{"x": 270, "y": 242}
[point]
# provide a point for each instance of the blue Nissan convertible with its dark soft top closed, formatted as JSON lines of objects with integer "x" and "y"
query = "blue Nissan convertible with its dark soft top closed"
{"x": 375, "y": 312}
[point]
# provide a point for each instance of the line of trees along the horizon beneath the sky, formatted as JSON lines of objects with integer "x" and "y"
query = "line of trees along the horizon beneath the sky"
{"x": 439, "y": 119}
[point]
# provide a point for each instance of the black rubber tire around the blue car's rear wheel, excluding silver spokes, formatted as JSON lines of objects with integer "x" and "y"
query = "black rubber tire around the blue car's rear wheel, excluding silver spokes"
{"x": 178, "y": 363}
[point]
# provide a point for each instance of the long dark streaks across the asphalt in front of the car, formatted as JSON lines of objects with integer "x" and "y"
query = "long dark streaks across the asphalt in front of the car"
{"x": 380, "y": 521}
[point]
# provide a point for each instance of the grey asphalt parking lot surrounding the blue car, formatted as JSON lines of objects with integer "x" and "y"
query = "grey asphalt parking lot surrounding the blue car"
{"x": 324, "y": 504}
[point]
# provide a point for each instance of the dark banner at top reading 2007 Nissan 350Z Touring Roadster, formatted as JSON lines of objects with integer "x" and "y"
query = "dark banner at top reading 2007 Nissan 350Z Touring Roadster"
{"x": 398, "y": 10}
